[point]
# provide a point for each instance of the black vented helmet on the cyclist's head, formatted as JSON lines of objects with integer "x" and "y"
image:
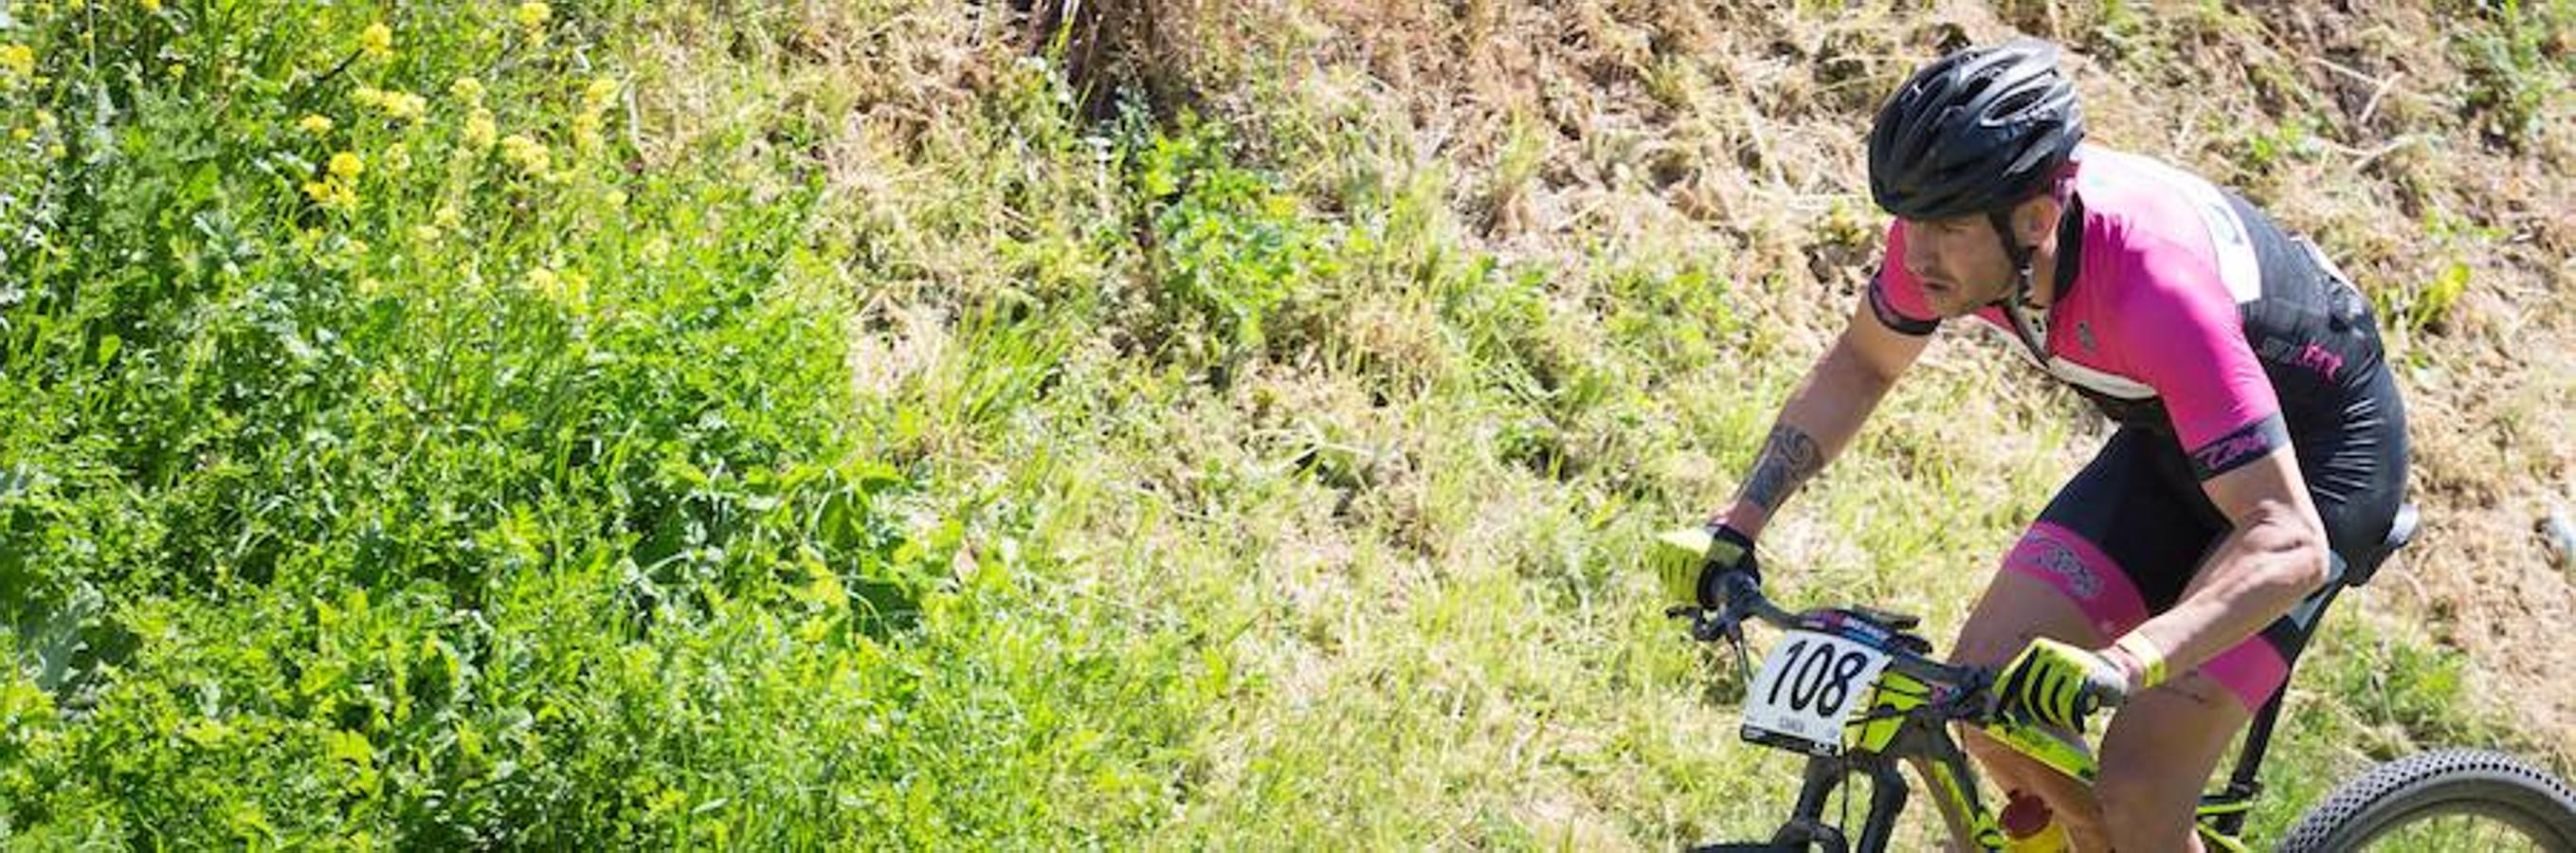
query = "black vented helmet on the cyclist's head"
{"x": 1975, "y": 133}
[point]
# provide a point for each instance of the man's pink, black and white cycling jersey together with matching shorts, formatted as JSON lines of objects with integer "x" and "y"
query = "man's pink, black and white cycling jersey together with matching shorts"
{"x": 2214, "y": 339}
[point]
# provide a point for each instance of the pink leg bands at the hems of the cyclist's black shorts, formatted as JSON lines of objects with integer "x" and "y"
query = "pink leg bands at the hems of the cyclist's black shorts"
{"x": 2111, "y": 602}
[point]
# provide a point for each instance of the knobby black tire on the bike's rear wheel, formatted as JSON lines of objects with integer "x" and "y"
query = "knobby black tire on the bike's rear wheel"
{"x": 2436, "y": 785}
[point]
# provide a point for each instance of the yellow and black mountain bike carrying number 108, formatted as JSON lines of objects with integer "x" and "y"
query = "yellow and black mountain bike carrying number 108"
{"x": 1859, "y": 695}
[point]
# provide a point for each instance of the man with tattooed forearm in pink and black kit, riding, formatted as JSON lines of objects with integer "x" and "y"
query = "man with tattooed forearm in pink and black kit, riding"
{"x": 2260, "y": 434}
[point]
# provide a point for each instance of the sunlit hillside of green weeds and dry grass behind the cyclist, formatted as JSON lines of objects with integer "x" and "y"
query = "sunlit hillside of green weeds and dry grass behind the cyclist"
{"x": 1204, "y": 426}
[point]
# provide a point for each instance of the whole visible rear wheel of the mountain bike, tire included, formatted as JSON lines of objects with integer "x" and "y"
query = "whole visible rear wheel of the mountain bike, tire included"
{"x": 2451, "y": 800}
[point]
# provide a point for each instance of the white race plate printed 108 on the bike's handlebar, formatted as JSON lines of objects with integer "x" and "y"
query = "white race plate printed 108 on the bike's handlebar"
{"x": 1807, "y": 689}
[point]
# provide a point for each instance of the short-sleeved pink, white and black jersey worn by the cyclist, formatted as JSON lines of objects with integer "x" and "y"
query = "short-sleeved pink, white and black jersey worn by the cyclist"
{"x": 2181, "y": 311}
